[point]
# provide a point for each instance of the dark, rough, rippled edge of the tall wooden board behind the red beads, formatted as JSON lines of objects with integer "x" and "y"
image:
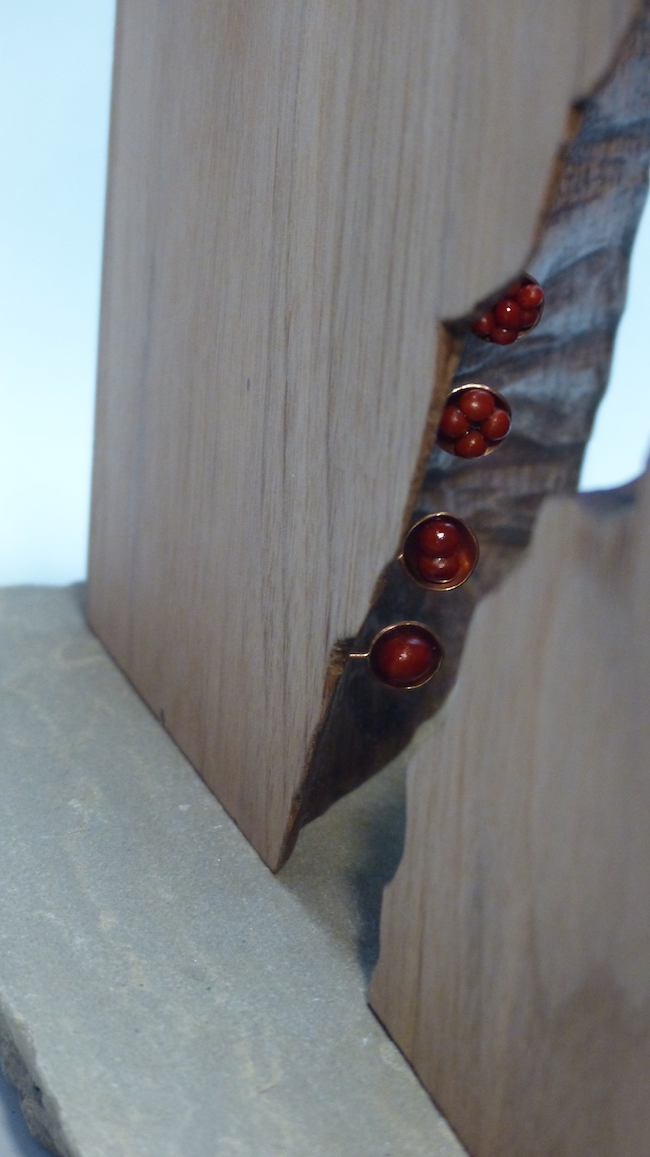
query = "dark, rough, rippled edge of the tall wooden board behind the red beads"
{"x": 555, "y": 380}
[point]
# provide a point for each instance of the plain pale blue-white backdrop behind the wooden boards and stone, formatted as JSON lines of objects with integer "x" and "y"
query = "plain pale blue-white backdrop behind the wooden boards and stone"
{"x": 55, "y": 85}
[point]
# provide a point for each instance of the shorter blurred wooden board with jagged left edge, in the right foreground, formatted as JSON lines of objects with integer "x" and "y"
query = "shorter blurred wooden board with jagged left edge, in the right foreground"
{"x": 515, "y": 961}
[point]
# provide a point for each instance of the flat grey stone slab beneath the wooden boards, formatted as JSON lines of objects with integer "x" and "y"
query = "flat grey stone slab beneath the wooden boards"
{"x": 161, "y": 993}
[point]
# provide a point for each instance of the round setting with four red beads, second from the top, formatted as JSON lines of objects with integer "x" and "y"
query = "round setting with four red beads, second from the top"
{"x": 472, "y": 423}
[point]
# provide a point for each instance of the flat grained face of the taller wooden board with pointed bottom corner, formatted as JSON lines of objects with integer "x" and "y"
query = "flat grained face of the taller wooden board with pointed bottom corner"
{"x": 299, "y": 193}
